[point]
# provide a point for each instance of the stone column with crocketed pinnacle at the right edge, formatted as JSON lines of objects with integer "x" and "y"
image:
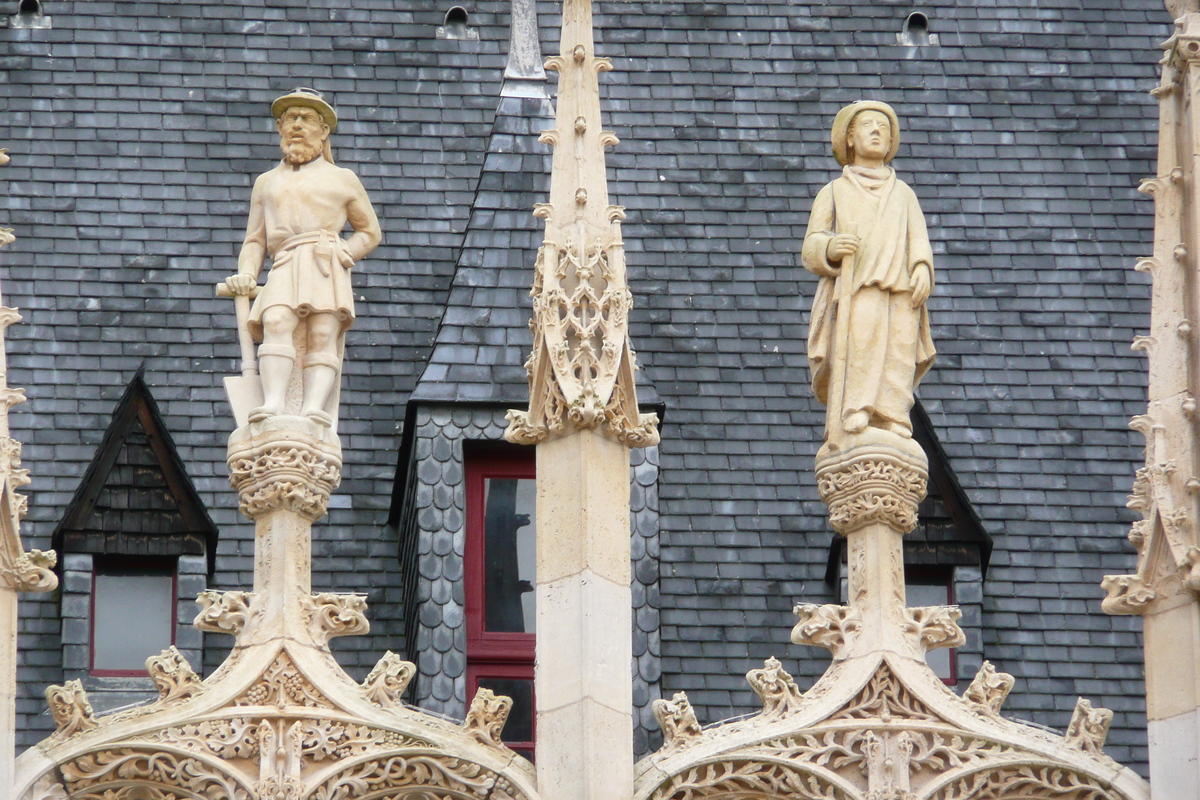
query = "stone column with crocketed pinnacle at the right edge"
{"x": 1166, "y": 587}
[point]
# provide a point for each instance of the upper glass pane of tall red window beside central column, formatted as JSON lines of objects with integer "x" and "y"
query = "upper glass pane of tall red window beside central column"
{"x": 509, "y": 555}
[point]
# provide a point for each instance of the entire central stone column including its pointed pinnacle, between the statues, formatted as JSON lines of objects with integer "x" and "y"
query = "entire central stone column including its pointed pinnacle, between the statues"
{"x": 584, "y": 418}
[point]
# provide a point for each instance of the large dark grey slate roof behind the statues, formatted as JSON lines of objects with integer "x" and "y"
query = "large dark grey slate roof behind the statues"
{"x": 137, "y": 129}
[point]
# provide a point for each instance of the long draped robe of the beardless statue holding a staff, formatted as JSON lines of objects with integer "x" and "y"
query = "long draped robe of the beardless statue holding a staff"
{"x": 890, "y": 348}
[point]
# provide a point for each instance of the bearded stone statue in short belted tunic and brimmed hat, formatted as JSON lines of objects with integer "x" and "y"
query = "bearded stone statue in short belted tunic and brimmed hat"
{"x": 297, "y": 215}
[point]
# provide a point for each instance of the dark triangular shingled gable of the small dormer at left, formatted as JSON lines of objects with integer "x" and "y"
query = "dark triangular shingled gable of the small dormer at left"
{"x": 136, "y": 497}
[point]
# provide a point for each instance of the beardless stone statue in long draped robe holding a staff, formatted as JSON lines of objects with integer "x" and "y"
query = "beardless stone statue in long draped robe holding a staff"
{"x": 869, "y": 344}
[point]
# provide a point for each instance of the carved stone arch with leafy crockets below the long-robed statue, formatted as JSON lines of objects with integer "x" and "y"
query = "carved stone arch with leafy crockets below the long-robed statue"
{"x": 881, "y": 729}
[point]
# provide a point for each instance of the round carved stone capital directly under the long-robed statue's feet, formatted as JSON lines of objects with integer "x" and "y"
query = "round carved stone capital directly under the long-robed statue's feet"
{"x": 873, "y": 485}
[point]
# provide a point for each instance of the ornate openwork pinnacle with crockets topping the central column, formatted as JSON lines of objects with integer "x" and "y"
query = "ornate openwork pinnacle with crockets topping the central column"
{"x": 581, "y": 370}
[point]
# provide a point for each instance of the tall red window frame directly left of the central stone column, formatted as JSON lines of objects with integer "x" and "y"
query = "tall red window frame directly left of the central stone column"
{"x": 493, "y": 654}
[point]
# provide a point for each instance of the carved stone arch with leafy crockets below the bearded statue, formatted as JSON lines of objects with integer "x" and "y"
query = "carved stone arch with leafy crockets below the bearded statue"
{"x": 275, "y": 723}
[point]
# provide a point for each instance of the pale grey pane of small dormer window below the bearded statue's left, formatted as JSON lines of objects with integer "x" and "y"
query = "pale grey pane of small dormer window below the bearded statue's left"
{"x": 133, "y": 618}
